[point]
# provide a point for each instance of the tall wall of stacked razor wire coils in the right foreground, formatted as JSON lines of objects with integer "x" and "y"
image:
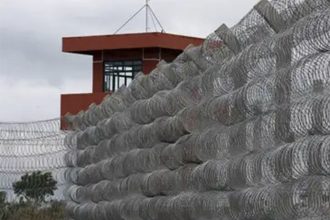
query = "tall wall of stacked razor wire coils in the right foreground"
{"x": 237, "y": 128}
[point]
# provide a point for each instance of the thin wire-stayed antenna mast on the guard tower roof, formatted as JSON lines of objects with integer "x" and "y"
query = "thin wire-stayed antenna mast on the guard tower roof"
{"x": 149, "y": 14}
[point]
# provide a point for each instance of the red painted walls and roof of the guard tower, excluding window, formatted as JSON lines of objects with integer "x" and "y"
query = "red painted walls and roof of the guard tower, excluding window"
{"x": 150, "y": 48}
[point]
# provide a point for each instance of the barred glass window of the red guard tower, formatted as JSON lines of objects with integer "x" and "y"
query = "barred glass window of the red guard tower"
{"x": 118, "y": 73}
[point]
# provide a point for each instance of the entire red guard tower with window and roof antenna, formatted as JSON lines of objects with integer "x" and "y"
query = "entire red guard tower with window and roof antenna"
{"x": 117, "y": 58}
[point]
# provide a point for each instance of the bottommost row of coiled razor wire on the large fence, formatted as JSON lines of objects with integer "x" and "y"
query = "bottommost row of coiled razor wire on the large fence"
{"x": 307, "y": 197}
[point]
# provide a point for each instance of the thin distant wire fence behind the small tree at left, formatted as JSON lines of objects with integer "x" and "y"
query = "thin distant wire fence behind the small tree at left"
{"x": 26, "y": 147}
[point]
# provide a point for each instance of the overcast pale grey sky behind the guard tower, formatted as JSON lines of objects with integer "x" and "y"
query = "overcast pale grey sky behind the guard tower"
{"x": 34, "y": 71}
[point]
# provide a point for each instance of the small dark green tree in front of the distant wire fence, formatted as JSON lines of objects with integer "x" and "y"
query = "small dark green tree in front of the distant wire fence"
{"x": 35, "y": 187}
